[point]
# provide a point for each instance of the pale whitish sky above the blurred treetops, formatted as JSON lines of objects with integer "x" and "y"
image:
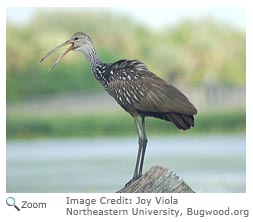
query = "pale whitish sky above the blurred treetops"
{"x": 154, "y": 17}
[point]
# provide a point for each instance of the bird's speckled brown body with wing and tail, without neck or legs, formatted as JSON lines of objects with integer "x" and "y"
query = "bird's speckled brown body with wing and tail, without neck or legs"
{"x": 140, "y": 92}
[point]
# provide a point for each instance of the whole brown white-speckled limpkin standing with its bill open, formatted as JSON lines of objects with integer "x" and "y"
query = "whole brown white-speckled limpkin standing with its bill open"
{"x": 136, "y": 89}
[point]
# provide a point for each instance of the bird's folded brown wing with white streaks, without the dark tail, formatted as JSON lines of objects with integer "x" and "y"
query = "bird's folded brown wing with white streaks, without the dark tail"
{"x": 139, "y": 88}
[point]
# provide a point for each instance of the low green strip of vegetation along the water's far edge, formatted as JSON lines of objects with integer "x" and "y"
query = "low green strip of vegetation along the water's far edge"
{"x": 27, "y": 126}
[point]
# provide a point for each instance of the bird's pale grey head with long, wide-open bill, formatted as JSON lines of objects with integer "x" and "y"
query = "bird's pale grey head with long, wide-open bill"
{"x": 78, "y": 42}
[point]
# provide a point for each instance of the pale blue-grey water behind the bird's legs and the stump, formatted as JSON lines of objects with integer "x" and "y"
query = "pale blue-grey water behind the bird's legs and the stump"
{"x": 206, "y": 163}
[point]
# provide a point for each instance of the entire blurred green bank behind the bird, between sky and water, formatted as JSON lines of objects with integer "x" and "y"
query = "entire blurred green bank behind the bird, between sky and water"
{"x": 203, "y": 57}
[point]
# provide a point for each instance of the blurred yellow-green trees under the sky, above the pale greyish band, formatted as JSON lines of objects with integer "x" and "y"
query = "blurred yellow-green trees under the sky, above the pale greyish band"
{"x": 193, "y": 52}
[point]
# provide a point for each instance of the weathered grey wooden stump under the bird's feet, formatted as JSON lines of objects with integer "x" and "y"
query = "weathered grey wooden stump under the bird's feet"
{"x": 158, "y": 180}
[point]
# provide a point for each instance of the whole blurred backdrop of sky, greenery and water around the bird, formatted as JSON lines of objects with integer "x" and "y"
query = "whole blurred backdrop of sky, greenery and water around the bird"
{"x": 202, "y": 52}
